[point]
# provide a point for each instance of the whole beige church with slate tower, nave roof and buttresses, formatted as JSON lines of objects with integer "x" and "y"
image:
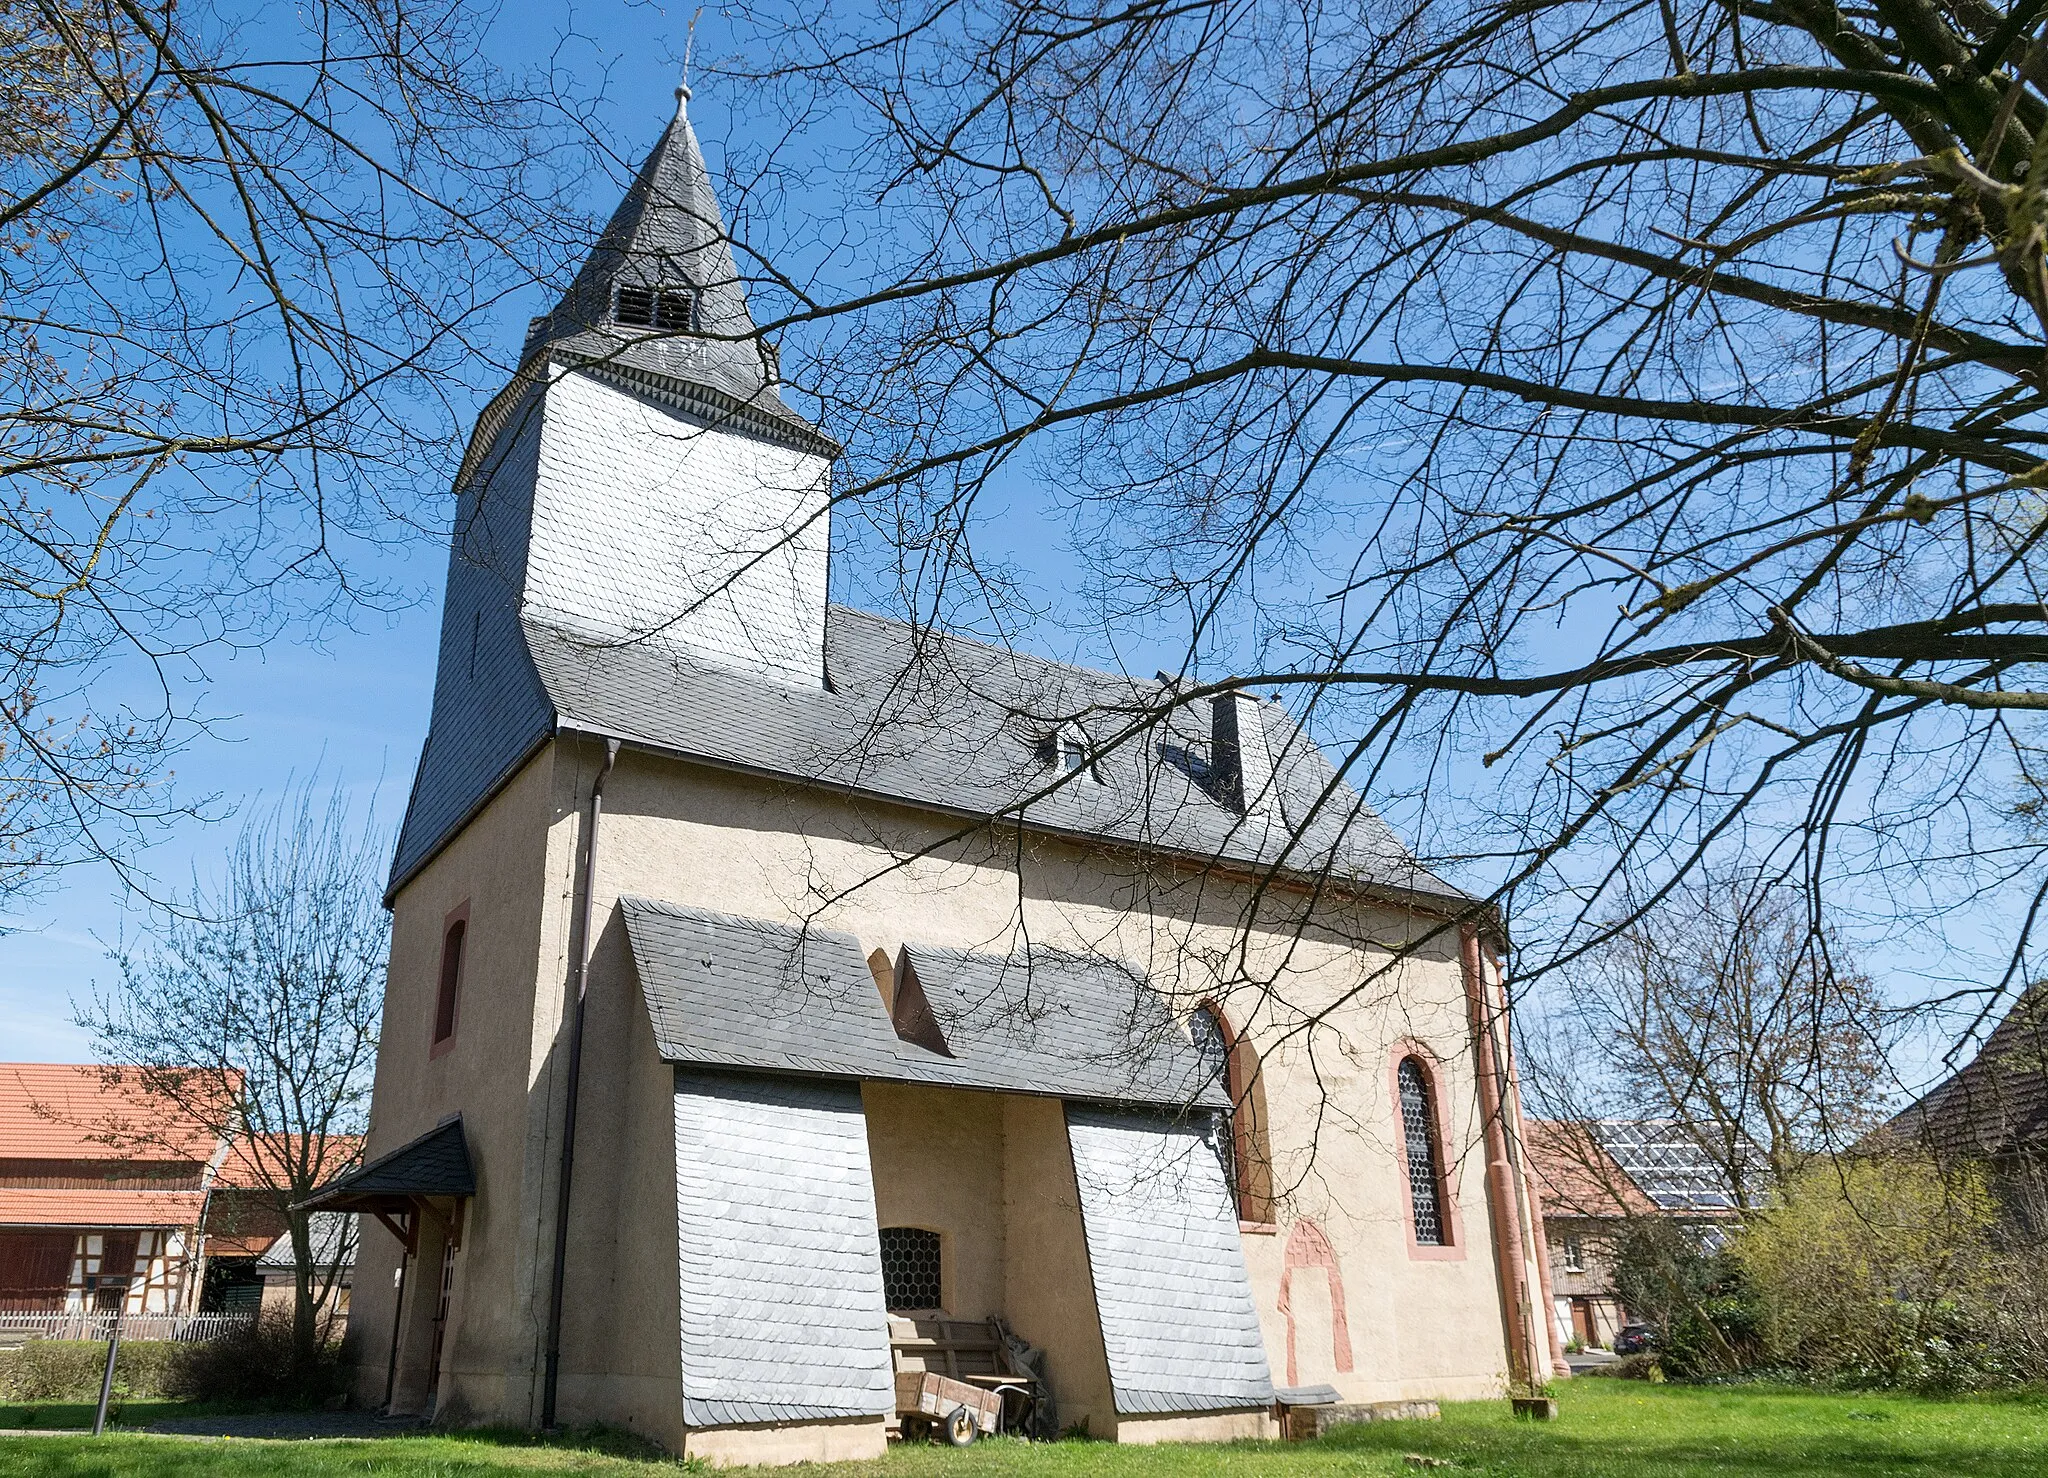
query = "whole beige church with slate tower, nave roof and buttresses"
{"x": 863, "y": 988}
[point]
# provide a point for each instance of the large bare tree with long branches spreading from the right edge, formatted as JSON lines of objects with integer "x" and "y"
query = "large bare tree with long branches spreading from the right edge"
{"x": 1621, "y": 417}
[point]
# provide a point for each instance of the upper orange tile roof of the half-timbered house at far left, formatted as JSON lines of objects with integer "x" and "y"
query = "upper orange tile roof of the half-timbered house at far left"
{"x": 71, "y": 1113}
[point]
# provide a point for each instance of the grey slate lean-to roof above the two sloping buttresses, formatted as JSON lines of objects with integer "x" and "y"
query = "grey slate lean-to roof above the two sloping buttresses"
{"x": 749, "y": 994}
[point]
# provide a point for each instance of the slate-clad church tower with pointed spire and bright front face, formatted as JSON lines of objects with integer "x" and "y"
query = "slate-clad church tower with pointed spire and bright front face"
{"x": 638, "y": 484}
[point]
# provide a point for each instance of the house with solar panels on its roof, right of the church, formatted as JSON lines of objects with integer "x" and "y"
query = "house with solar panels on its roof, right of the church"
{"x": 1594, "y": 1178}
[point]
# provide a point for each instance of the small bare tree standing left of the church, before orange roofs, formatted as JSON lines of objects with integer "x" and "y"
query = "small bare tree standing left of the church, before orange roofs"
{"x": 253, "y": 1010}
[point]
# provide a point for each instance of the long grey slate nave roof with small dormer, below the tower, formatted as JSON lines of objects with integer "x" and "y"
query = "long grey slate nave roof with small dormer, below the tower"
{"x": 941, "y": 722}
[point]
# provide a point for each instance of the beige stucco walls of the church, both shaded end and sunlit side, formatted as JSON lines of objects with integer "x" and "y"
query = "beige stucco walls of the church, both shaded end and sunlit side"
{"x": 1345, "y": 1295}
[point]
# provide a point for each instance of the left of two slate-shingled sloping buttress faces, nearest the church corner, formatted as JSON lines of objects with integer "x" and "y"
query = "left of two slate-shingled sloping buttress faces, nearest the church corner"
{"x": 777, "y": 1252}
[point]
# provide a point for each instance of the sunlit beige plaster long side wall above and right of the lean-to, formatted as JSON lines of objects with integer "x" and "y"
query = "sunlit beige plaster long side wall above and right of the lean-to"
{"x": 1320, "y": 998}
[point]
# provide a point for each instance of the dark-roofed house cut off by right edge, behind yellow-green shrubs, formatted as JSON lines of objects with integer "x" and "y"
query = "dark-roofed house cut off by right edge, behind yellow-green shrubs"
{"x": 1996, "y": 1111}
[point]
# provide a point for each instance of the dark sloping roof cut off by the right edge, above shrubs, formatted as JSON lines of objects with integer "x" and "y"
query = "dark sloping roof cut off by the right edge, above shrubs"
{"x": 1996, "y": 1104}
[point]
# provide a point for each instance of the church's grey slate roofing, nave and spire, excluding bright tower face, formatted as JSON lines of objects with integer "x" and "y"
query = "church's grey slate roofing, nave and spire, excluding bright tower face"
{"x": 906, "y": 713}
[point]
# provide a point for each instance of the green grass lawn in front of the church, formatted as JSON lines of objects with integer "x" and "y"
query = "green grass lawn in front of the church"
{"x": 1609, "y": 1430}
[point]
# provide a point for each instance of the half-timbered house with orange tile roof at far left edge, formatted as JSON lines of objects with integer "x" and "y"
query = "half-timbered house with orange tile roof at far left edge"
{"x": 101, "y": 1194}
